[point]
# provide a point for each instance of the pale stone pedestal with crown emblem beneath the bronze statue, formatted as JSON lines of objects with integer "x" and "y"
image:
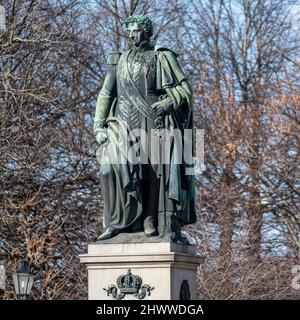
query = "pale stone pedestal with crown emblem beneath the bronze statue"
{"x": 169, "y": 268}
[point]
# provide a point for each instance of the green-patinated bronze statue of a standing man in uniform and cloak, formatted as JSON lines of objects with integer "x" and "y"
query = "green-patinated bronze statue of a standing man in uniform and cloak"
{"x": 145, "y": 98}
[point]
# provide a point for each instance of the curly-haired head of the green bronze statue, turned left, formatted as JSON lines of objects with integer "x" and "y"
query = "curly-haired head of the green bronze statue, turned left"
{"x": 139, "y": 29}
